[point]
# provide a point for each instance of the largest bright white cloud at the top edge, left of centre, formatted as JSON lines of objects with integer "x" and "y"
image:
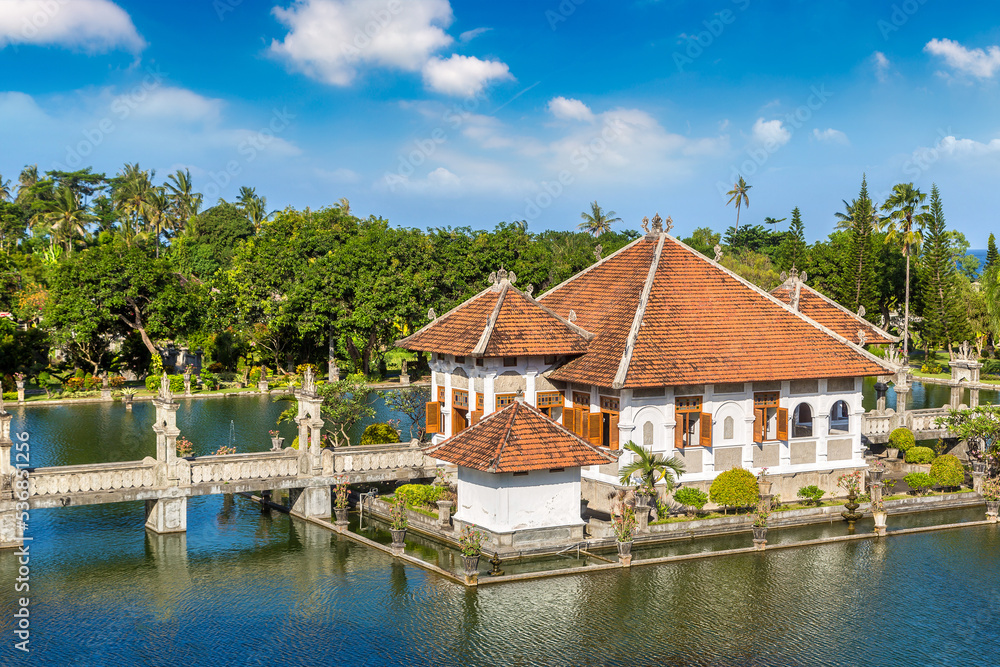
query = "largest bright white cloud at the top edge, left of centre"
{"x": 331, "y": 40}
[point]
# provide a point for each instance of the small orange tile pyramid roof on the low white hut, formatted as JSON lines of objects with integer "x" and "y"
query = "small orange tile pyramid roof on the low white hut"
{"x": 518, "y": 438}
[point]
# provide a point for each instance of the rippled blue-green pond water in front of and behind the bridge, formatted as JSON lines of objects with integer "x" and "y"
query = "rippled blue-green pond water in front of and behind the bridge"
{"x": 242, "y": 588}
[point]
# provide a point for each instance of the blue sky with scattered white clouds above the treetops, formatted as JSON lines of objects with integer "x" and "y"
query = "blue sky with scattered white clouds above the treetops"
{"x": 432, "y": 113}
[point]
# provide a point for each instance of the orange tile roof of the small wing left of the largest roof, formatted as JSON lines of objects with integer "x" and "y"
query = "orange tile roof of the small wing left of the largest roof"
{"x": 500, "y": 321}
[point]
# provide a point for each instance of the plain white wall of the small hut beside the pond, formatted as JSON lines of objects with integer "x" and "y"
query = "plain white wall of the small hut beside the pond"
{"x": 506, "y": 502}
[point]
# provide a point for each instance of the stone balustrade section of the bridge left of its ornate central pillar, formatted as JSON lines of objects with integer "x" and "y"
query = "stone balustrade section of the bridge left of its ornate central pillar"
{"x": 60, "y": 480}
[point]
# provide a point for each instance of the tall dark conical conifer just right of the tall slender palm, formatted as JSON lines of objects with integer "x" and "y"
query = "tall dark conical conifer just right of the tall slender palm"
{"x": 944, "y": 317}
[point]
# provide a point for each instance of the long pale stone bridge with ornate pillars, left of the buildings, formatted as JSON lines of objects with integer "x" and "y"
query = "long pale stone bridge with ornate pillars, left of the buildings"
{"x": 167, "y": 481}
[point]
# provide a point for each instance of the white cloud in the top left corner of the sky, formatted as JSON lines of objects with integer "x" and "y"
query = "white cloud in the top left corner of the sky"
{"x": 91, "y": 25}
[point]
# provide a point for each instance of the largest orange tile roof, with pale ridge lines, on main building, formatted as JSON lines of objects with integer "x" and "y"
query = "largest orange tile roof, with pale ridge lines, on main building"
{"x": 664, "y": 314}
